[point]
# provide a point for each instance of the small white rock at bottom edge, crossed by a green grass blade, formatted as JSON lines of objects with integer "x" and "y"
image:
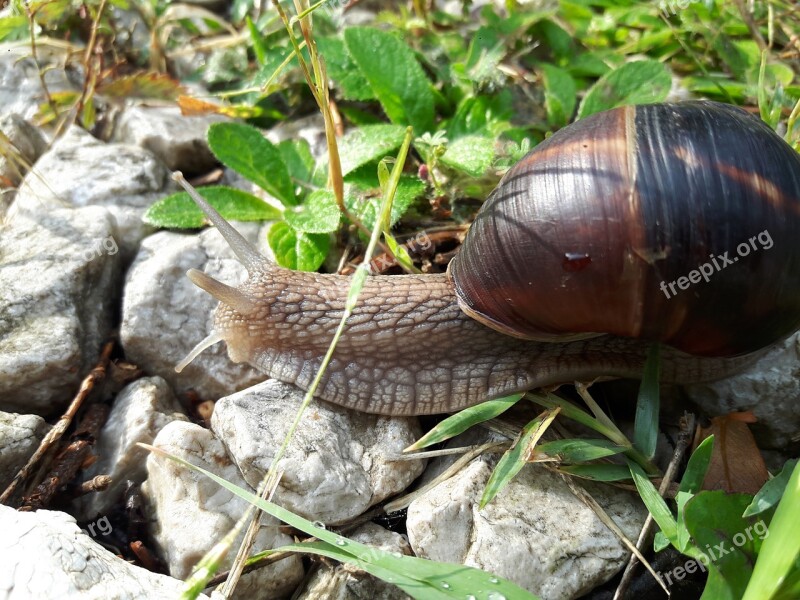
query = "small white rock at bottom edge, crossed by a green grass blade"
{"x": 346, "y": 582}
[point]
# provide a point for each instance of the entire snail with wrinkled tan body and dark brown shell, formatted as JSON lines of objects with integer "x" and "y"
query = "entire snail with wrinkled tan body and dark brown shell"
{"x": 559, "y": 278}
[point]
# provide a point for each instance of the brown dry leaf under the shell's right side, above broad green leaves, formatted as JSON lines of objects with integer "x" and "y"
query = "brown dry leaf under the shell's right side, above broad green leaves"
{"x": 736, "y": 462}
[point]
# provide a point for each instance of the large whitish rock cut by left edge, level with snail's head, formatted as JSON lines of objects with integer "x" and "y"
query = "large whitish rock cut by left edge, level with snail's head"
{"x": 57, "y": 293}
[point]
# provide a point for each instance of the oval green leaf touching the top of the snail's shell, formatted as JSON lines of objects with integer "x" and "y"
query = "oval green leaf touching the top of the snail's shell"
{"x": 640, "y": 82}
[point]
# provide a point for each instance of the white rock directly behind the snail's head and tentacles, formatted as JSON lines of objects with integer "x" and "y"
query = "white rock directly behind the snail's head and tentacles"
{"x": 164, "y": 315}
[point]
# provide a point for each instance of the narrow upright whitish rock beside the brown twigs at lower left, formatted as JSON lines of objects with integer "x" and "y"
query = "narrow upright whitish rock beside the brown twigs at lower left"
{"x": 140, "y": 411}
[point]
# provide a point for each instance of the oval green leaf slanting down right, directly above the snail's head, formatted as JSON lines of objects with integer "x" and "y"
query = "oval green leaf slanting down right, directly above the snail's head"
{"x": 246, "y": 151}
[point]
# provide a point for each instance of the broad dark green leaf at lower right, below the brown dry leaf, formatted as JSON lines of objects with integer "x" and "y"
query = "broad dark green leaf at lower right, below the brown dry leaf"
{"x": 724, "y": 540}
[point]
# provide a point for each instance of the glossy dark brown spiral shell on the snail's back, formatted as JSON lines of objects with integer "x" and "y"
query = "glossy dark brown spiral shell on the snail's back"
{"x": 671, "y": 222}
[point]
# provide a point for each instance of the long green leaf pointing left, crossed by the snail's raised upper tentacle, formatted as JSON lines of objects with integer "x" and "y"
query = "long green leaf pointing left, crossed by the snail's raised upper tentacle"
{"x": 180, "y": 211}
